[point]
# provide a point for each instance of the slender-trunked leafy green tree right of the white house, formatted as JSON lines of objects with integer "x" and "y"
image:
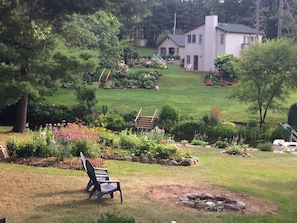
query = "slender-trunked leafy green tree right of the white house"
{"x": 266, "y": 73}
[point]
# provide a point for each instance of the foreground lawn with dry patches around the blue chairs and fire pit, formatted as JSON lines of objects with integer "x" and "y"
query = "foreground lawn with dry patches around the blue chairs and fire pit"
{"x": 33, "y": 194}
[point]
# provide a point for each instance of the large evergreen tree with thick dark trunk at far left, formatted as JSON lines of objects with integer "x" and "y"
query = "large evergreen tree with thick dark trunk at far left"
{"x": 34, "y": 58}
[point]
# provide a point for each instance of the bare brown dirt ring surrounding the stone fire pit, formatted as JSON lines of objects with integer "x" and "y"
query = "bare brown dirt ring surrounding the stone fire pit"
{"x": 170, "y": 195}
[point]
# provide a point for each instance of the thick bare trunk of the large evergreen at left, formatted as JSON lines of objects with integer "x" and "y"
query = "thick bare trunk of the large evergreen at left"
{"x": 21, "y": 114}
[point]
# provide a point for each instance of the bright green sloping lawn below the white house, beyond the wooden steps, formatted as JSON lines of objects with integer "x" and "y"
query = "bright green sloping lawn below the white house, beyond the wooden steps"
{"x": 185, "y": 90}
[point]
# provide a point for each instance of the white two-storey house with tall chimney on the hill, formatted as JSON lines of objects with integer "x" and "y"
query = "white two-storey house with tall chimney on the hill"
{"x": 203, "y": 43}
